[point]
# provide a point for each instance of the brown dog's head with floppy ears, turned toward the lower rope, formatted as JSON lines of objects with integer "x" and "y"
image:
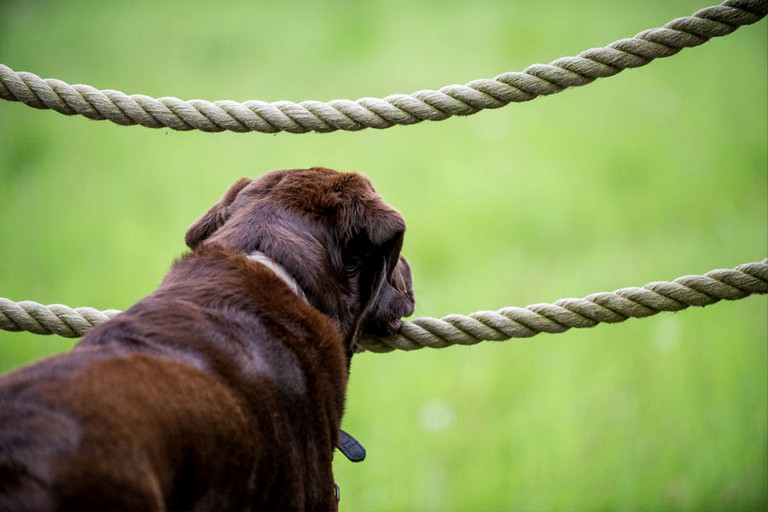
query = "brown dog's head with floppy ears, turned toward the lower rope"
{"x": 332, "y": 232}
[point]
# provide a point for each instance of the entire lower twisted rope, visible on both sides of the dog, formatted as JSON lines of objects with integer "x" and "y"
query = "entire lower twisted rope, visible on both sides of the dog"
{"x": 506, "y": 323}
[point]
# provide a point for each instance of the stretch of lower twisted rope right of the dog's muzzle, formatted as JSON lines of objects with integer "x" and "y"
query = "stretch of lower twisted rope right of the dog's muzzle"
{"x": 564, "y": 314}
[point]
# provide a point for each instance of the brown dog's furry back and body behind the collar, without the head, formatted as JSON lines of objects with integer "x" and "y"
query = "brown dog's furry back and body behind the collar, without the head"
{"x": 175, "y": 404}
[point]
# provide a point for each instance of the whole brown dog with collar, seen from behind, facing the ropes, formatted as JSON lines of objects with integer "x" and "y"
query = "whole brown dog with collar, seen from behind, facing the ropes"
{"x": 224, "y": 389}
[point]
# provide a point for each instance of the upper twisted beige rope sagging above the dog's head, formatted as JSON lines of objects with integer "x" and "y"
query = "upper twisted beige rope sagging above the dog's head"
{"x": 396, "y": 109}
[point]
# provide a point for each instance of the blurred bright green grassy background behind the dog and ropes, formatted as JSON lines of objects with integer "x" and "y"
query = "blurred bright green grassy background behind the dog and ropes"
{"x": 653, "y": 174}
